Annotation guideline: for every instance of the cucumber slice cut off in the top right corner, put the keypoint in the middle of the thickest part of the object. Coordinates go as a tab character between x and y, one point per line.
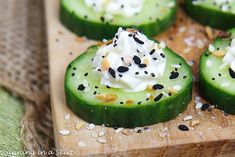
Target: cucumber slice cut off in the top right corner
216	14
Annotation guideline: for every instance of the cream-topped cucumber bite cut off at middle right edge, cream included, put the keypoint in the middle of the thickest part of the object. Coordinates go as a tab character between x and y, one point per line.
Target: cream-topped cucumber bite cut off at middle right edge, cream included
217	73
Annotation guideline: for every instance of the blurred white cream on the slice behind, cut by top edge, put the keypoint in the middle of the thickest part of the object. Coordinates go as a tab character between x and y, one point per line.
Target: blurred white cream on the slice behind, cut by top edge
116	7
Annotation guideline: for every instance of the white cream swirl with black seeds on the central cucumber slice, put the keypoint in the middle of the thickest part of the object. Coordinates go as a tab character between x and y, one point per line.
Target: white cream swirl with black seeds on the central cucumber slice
131	62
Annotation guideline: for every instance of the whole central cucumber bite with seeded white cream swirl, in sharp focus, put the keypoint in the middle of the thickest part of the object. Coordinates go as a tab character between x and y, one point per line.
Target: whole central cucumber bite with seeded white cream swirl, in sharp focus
127	82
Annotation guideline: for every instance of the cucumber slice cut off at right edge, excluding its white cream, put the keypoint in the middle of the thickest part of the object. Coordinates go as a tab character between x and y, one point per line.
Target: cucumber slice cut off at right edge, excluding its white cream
217	85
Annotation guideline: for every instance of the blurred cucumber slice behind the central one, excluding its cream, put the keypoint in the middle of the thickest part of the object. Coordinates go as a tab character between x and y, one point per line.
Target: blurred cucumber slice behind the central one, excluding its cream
155	17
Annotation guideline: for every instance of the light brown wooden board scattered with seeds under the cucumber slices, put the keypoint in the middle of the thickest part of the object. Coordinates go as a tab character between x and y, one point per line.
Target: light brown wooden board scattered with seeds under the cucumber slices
214	136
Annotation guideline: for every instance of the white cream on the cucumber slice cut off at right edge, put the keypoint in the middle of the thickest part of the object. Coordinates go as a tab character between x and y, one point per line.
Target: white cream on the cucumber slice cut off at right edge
229	58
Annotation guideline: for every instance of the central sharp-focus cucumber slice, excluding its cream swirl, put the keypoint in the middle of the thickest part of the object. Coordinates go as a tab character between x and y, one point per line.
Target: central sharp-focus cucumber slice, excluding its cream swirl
127	109
